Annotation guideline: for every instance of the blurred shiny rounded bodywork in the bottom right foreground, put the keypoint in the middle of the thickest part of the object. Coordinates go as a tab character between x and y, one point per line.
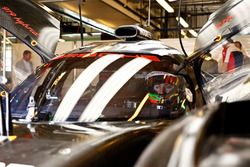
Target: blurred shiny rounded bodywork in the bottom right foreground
208	137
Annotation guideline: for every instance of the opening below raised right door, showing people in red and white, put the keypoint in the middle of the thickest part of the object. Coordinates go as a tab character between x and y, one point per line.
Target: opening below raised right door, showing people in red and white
231	56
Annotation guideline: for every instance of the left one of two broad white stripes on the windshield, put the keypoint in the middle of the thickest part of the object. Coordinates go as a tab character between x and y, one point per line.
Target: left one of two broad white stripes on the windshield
80	85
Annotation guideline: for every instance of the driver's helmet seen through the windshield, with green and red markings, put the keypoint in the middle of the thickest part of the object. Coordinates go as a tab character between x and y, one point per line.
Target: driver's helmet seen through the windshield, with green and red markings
167	91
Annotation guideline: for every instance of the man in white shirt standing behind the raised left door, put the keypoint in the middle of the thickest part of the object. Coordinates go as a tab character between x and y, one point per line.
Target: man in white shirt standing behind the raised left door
24	67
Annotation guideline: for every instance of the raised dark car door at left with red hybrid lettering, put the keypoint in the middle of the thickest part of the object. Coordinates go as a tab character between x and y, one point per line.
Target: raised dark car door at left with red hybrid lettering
33	24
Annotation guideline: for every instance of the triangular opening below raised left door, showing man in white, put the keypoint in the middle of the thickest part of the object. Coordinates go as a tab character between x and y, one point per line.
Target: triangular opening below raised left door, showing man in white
17	61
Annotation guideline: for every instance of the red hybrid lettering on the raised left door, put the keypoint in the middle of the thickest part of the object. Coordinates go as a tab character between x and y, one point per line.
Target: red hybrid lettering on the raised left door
19	21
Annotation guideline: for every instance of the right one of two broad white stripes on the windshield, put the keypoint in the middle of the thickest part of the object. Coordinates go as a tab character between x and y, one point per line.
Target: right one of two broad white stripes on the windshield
110	88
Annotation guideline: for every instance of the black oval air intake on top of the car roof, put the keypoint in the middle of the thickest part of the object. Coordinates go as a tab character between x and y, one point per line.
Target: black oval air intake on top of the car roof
132	32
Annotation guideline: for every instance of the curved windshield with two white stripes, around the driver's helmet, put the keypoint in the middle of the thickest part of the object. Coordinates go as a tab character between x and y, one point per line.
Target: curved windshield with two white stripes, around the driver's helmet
110	87
